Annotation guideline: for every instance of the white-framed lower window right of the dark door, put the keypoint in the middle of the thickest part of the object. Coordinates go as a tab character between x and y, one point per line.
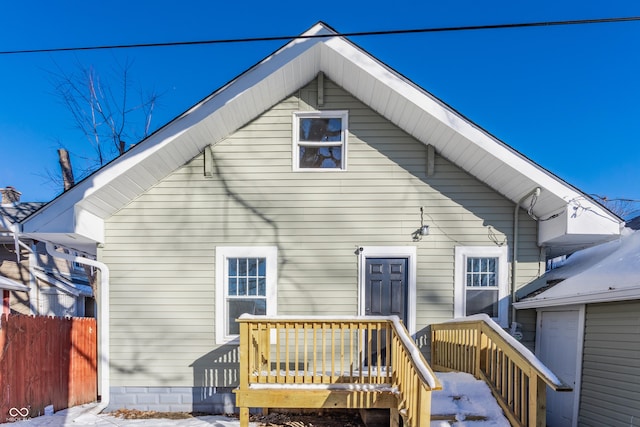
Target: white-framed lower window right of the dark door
481	282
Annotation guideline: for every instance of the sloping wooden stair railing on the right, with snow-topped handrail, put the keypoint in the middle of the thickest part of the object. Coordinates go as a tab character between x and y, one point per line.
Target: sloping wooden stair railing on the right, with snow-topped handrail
518	380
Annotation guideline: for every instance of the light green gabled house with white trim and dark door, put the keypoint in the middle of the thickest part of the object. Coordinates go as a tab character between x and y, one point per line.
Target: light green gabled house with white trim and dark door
320	181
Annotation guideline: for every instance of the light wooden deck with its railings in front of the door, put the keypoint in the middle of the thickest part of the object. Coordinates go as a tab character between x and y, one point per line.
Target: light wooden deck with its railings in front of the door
372	362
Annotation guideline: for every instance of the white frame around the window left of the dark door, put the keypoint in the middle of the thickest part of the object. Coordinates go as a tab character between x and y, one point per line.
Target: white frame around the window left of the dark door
223	253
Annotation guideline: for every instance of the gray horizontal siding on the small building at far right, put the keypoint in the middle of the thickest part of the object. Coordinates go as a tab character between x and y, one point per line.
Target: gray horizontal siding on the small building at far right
611	368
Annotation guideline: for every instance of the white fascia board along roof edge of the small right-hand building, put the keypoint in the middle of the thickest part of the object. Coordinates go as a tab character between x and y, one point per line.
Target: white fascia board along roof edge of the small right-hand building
605	295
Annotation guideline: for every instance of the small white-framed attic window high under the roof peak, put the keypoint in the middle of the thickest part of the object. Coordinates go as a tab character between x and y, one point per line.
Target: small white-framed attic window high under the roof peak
320	140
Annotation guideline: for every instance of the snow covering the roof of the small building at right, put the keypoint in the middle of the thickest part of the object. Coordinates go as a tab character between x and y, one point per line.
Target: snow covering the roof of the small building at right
607	272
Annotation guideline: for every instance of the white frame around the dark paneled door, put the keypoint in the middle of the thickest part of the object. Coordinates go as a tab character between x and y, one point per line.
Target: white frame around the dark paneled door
408	252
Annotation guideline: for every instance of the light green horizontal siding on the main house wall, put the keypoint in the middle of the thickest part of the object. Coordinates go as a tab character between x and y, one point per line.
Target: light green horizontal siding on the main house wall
161	247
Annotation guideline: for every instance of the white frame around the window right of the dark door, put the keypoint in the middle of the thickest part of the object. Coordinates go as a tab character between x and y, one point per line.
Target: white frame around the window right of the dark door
461	255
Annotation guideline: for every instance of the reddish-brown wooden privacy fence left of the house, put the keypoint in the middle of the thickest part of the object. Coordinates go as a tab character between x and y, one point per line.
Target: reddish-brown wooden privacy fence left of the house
46	361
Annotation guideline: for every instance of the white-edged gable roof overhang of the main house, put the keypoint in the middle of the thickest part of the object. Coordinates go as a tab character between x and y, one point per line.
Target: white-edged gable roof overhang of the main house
76	217
